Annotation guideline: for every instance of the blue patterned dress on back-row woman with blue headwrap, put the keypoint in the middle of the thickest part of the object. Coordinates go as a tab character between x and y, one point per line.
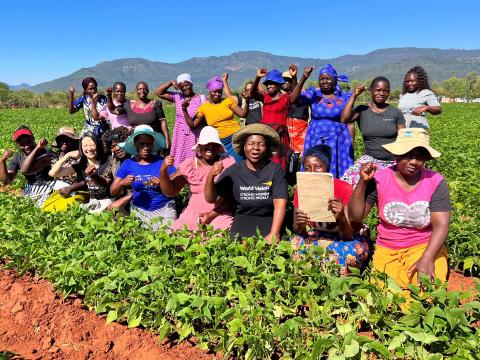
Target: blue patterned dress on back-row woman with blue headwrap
325	126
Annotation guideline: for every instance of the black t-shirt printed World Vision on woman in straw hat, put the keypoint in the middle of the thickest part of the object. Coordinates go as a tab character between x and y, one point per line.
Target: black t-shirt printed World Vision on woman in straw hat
252	193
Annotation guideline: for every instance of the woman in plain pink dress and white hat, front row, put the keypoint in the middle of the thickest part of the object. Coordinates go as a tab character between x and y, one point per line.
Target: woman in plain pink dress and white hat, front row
193	172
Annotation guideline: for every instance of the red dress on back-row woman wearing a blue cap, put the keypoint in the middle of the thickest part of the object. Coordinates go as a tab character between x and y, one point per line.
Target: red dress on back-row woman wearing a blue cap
275	114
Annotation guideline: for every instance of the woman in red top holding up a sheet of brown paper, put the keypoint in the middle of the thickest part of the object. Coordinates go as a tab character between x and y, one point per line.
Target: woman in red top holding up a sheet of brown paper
341	237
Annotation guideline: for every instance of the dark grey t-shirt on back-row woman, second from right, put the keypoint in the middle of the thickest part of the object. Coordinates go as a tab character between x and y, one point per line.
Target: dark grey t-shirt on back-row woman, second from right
379	129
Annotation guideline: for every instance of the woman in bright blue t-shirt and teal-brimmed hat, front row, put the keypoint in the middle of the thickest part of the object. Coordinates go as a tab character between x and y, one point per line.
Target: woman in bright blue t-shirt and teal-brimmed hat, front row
142	172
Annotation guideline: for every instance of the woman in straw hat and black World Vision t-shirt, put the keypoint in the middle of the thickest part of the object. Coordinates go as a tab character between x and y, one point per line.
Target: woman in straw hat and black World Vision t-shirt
256	187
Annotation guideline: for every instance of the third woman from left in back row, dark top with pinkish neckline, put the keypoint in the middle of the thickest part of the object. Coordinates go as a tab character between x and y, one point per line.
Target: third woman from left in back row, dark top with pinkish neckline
144	111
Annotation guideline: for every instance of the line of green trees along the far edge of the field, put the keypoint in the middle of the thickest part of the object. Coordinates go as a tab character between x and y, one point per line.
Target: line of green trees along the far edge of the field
467	88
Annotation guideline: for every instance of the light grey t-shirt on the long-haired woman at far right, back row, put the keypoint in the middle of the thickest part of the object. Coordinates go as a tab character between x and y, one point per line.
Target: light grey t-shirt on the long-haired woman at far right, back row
410	101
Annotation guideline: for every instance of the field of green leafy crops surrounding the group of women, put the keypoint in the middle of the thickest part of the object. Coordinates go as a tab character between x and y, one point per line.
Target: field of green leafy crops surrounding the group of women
252	300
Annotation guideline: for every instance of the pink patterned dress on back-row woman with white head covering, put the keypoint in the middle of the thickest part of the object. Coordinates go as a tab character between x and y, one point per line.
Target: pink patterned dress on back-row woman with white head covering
184	137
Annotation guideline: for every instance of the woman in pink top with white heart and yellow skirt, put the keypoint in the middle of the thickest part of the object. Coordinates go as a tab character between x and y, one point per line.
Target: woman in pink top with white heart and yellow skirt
414	210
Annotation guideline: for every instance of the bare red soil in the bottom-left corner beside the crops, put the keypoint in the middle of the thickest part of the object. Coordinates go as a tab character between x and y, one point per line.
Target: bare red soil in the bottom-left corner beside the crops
36	323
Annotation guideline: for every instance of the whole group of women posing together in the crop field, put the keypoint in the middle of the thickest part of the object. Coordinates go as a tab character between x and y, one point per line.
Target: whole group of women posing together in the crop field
236	174
